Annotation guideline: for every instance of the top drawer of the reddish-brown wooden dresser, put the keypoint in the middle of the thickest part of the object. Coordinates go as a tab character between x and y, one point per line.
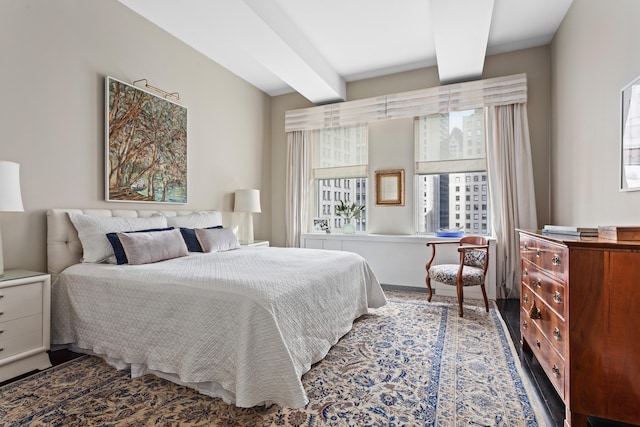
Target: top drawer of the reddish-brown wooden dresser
548	256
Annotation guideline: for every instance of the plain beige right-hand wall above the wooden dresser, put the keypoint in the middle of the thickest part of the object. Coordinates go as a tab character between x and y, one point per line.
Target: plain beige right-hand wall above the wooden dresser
593	55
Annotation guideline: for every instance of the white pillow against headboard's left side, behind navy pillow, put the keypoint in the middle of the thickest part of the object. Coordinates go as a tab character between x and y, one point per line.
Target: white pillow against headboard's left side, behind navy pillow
92	231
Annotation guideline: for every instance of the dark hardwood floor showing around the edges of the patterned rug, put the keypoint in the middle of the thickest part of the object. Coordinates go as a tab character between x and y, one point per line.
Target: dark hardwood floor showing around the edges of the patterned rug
545	394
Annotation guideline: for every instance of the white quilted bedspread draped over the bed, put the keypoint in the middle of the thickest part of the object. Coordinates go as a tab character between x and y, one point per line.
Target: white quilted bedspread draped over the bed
244	324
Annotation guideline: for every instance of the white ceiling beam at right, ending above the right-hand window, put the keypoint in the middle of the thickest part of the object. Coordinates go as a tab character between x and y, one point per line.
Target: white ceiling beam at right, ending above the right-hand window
460	32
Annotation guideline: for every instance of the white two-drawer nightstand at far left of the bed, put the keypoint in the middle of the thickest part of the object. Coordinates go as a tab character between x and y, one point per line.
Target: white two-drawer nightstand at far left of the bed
25	320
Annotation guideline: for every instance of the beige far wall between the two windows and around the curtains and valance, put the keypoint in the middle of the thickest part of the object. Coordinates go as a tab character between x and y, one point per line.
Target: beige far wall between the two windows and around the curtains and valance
391	142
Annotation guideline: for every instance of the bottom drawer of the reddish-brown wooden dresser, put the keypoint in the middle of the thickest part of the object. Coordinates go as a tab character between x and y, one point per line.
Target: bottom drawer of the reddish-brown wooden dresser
549	359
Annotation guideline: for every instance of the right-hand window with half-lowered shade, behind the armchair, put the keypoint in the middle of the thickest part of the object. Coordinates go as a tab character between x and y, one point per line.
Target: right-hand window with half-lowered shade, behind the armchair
450	150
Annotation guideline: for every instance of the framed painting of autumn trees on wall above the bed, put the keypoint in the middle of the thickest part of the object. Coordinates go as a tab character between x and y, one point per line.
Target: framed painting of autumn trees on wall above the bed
146	146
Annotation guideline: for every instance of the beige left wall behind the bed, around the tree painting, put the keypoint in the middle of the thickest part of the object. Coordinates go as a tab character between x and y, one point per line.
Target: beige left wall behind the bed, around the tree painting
55	56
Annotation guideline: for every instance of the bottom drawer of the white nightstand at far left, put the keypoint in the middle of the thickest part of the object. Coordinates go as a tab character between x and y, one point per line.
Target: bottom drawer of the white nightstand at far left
20	335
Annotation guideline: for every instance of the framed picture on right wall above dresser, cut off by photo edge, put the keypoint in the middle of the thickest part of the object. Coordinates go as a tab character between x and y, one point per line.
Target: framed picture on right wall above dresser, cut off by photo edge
630	137
